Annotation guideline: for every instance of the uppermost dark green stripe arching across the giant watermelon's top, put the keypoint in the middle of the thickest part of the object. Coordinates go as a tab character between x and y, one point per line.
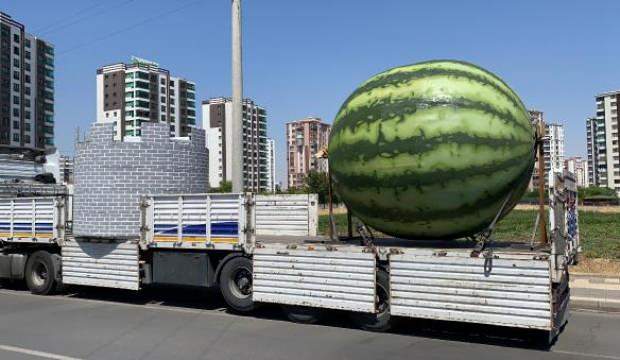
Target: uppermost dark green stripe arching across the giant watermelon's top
404	77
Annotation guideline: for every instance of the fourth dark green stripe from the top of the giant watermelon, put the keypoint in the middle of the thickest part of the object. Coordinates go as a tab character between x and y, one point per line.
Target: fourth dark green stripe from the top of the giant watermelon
411	178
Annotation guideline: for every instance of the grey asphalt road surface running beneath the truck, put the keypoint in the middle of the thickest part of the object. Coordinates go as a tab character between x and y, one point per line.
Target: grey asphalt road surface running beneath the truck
178	324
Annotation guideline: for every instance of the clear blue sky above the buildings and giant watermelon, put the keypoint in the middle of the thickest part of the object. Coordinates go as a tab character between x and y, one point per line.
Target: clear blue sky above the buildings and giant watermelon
304	57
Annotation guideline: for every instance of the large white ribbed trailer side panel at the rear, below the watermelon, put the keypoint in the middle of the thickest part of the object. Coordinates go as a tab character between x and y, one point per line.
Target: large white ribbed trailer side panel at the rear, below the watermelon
511	292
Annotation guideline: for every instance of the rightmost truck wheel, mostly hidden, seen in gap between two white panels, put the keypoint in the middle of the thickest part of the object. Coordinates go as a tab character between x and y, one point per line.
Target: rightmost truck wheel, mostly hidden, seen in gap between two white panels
379	321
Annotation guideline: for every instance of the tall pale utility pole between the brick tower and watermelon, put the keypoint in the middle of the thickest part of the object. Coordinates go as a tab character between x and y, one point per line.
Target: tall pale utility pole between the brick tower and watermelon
237	98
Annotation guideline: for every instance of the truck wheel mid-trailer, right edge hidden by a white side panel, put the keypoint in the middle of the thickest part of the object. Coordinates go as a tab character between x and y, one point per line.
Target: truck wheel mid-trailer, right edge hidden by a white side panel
236	284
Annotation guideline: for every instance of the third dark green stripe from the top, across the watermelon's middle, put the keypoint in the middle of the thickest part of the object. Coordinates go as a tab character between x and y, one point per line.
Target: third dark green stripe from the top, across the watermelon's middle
364	149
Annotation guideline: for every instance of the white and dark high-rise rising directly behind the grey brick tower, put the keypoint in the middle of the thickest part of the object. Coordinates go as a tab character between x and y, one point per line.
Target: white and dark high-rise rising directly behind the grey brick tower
130	94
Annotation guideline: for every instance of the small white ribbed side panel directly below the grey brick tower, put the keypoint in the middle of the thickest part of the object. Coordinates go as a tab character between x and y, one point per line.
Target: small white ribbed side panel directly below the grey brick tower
107	264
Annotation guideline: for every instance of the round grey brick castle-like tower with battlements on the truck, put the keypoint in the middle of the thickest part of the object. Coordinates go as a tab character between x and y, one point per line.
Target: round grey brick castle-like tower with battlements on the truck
110	176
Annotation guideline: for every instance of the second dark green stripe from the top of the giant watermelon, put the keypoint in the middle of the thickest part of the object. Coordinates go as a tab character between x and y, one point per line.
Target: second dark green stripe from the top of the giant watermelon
364	115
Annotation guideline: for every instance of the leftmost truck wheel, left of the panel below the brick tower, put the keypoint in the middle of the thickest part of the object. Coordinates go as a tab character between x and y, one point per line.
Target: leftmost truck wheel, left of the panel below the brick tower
41	273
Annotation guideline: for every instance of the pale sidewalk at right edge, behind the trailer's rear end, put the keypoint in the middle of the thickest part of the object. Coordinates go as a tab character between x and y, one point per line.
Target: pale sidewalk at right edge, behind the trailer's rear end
595	292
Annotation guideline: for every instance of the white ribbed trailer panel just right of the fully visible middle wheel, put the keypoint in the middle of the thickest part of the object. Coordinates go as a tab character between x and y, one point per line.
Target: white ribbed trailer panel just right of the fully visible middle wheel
343	280
